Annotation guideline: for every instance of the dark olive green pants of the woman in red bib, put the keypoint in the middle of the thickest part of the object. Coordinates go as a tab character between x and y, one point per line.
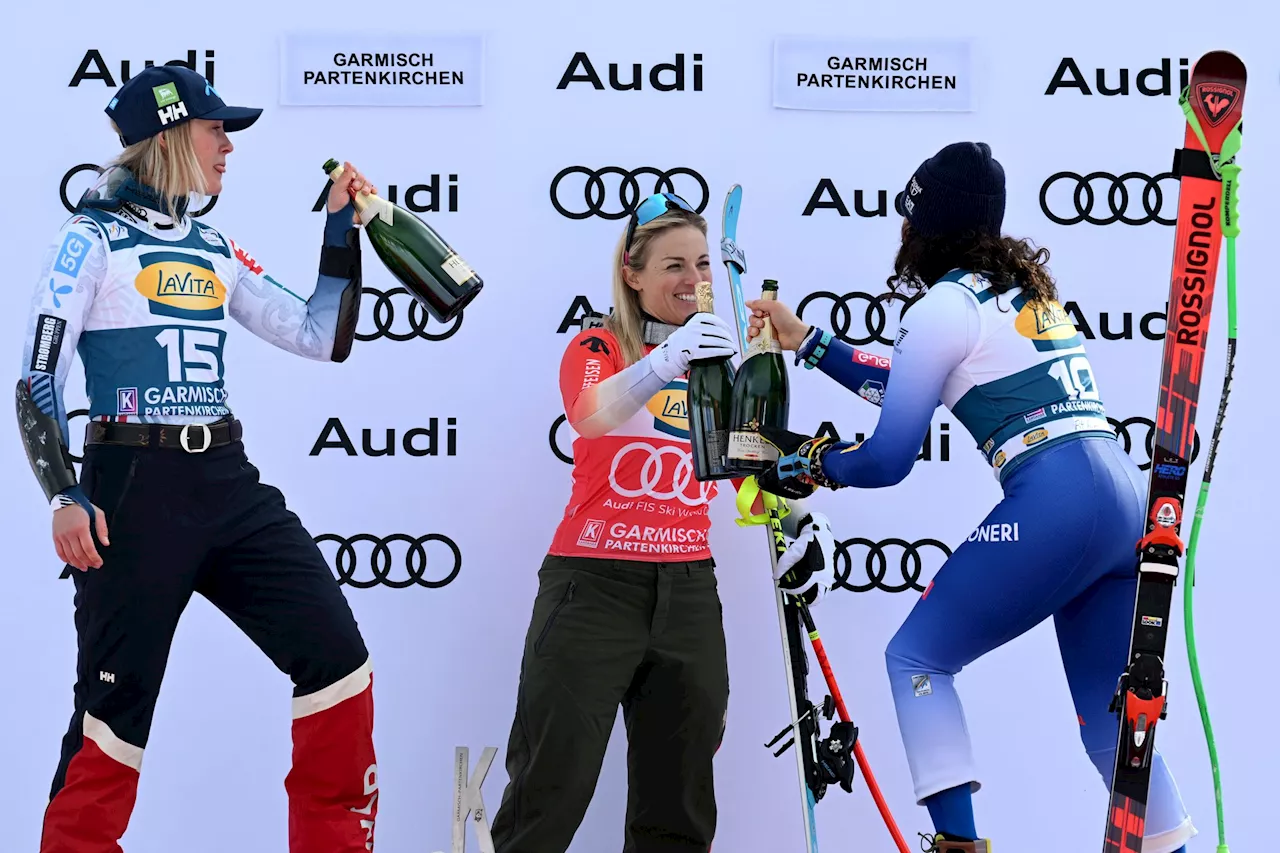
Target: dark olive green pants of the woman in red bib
646	636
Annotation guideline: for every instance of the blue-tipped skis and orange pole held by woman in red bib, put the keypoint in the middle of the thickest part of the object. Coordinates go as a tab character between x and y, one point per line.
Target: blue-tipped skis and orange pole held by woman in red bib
820	761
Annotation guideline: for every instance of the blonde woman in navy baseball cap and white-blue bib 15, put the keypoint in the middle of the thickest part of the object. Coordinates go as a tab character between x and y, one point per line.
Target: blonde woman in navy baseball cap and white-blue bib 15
168	504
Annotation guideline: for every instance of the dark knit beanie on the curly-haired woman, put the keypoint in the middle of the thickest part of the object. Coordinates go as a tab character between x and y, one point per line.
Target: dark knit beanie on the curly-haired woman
961	188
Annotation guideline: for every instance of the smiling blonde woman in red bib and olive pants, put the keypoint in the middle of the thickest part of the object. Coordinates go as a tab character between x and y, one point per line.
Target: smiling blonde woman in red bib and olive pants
628	610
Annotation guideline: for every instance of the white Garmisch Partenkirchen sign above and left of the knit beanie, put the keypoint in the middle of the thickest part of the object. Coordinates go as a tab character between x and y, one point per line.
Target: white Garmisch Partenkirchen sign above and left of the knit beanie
894	75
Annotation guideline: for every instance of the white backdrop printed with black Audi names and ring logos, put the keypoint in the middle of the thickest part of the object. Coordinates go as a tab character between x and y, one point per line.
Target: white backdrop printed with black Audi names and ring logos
447	659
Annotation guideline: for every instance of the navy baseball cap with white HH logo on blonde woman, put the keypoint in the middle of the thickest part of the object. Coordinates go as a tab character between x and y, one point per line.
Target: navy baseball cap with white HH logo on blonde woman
164	97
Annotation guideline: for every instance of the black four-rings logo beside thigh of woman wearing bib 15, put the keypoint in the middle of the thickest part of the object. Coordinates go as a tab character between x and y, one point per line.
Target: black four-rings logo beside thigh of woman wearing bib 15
397	560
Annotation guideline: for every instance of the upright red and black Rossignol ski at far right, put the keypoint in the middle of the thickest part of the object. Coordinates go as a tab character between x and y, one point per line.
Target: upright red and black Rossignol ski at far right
1206	208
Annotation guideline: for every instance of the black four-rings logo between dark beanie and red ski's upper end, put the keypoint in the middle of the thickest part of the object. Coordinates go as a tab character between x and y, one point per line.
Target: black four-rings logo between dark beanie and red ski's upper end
1132	198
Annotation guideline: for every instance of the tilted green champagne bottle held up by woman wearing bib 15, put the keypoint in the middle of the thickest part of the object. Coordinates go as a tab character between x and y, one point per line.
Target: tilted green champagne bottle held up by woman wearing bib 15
423	262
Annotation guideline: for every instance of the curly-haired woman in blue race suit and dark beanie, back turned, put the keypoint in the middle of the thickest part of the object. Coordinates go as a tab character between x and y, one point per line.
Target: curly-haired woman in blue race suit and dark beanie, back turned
986	337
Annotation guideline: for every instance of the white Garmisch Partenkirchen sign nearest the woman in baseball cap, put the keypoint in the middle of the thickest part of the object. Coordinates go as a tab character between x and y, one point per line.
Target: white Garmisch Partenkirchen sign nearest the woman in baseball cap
362	70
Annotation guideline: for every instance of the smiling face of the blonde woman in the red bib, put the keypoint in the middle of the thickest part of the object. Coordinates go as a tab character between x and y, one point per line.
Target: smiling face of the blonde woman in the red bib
678	259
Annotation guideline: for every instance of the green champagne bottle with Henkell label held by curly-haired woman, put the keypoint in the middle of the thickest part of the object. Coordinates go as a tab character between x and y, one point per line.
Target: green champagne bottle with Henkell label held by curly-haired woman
761	399
